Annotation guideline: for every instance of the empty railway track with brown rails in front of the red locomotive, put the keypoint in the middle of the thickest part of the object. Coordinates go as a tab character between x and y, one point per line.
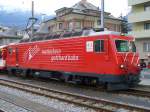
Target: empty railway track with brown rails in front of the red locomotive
83	101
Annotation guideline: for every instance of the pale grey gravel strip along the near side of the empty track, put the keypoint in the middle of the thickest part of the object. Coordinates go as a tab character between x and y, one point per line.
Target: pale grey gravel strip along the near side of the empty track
44	101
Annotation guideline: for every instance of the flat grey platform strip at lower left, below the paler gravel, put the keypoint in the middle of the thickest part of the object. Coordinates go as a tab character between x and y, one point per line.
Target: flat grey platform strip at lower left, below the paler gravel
32	106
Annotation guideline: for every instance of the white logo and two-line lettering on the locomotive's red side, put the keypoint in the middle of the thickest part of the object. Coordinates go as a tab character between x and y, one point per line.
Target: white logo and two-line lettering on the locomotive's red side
55	54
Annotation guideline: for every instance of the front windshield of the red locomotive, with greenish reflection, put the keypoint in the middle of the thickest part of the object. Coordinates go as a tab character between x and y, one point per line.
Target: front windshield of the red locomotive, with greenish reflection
125	46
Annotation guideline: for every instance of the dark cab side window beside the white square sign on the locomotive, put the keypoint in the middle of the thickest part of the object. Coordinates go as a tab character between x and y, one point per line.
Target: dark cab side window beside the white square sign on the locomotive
99	46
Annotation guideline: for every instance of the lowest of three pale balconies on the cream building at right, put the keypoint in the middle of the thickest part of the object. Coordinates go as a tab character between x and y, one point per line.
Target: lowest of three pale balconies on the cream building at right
140	34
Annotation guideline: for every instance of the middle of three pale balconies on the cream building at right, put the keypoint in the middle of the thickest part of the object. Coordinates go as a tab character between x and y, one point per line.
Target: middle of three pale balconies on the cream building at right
139	17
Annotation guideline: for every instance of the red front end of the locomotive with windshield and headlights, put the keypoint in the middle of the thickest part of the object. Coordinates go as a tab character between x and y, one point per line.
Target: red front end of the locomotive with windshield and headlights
127	59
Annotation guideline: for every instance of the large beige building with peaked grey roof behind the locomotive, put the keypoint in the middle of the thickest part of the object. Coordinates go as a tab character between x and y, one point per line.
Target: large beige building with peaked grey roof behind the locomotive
82	15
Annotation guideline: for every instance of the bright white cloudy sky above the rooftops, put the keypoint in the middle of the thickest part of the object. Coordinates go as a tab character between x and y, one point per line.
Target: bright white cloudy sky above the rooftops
48	7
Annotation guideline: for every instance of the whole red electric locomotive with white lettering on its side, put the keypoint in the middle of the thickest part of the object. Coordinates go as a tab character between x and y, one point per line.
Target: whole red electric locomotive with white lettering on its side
84	57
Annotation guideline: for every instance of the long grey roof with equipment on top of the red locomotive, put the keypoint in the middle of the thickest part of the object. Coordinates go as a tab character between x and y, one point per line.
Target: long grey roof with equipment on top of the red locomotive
83	33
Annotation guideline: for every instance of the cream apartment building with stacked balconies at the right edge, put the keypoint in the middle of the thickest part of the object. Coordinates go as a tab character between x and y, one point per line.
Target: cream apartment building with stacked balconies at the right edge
140	19
